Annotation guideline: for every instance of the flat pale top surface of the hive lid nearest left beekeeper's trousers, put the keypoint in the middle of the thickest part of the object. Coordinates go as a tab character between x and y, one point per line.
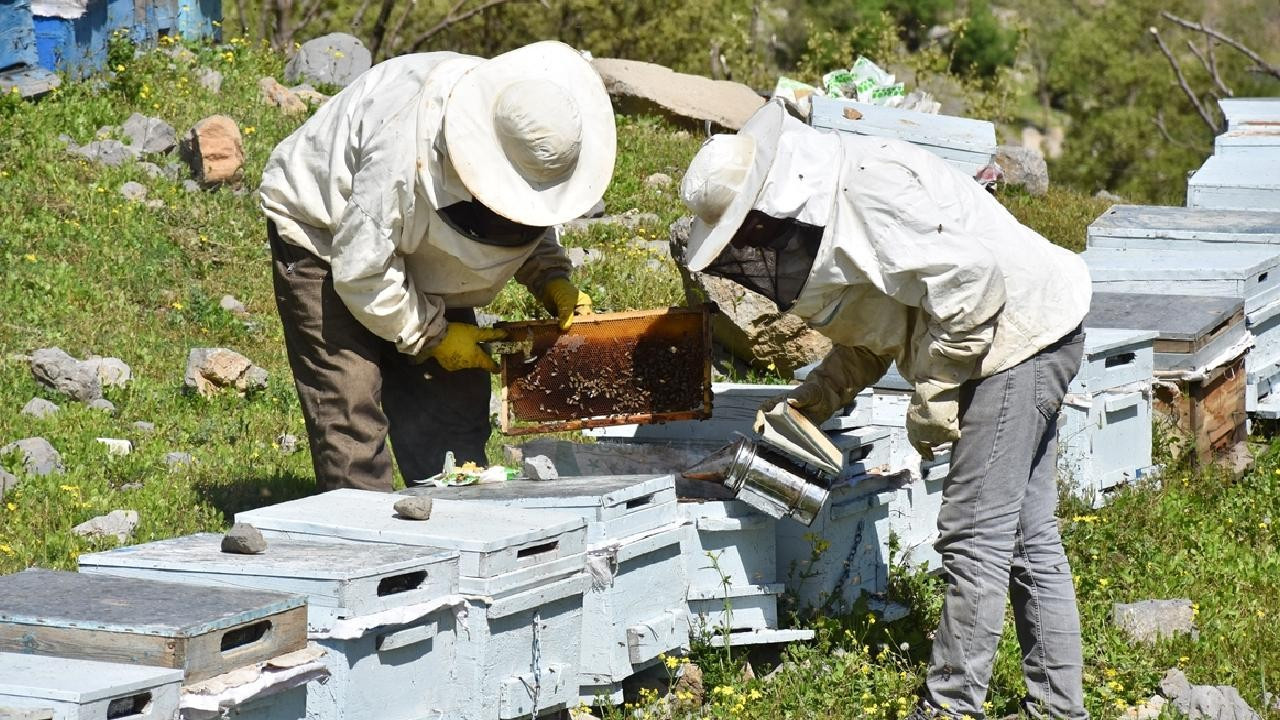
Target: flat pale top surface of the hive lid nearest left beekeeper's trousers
367	516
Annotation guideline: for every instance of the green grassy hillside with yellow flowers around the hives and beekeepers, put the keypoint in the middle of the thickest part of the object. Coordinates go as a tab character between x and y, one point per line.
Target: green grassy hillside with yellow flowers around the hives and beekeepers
85	270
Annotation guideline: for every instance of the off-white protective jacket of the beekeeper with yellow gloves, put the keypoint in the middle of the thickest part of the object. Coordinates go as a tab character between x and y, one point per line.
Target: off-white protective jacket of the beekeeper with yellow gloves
359	185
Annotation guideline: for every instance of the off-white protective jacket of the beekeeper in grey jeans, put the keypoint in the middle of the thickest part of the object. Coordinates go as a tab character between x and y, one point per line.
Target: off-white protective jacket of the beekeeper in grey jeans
918	265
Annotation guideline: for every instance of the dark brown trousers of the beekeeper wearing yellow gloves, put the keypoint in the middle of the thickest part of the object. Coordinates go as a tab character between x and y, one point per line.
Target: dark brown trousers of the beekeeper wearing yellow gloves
358	389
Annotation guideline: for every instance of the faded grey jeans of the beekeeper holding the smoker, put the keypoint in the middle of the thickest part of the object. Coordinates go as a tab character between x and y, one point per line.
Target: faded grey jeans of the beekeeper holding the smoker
999	537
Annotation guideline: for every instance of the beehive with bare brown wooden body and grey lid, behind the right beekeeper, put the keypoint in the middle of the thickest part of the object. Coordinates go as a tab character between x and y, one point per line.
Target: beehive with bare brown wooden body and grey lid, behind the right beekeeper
1199	352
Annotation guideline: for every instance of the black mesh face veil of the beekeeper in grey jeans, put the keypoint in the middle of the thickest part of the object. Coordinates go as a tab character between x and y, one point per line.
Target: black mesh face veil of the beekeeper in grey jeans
771	257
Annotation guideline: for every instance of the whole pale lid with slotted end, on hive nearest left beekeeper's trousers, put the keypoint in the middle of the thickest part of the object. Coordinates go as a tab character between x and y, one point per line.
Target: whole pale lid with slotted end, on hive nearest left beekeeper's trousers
501	550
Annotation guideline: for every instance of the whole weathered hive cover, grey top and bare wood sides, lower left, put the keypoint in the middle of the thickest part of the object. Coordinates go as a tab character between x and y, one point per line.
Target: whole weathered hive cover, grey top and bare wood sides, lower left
203	631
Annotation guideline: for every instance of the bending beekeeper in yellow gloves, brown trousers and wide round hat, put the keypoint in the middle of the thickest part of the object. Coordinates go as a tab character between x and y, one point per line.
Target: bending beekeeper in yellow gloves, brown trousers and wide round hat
406	202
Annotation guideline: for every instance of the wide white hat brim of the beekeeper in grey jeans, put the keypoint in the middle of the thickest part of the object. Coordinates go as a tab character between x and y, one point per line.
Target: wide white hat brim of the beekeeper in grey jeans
707	240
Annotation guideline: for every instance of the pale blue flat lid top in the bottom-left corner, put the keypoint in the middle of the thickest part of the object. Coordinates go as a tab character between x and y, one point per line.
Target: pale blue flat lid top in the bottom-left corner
80	682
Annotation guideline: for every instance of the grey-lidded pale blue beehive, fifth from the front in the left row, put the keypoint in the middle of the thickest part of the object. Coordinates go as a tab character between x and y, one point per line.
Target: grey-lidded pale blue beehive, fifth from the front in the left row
636	609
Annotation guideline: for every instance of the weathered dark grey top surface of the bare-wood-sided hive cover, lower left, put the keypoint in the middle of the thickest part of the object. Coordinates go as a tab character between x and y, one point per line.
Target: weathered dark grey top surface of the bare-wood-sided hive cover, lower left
147	608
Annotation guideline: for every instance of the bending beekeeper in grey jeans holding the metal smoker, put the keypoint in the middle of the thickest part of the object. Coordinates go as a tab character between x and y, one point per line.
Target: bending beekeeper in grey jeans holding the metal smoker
898	257
